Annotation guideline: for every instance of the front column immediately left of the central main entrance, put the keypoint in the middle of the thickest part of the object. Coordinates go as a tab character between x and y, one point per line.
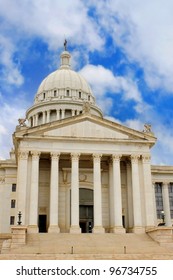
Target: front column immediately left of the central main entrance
75	194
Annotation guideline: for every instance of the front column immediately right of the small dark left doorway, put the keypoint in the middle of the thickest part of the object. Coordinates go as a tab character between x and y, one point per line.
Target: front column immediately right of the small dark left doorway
54	193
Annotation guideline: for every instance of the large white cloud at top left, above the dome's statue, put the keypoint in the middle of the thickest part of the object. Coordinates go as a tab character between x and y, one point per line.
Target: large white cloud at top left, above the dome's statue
53	21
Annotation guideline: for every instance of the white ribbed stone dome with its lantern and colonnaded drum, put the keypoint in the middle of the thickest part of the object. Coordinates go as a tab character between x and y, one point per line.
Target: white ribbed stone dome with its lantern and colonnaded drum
62	94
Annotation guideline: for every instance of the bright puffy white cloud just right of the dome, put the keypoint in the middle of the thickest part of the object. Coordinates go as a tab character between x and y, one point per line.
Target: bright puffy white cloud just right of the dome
104	83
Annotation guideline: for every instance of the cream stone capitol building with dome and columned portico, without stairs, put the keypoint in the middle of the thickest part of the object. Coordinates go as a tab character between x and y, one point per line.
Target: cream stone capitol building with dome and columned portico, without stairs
73	171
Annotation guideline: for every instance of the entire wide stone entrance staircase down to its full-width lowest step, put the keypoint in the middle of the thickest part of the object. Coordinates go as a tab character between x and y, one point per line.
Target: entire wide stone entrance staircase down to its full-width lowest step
89	246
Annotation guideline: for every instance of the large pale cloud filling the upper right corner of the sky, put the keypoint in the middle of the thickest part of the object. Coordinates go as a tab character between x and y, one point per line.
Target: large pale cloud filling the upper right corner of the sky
144	30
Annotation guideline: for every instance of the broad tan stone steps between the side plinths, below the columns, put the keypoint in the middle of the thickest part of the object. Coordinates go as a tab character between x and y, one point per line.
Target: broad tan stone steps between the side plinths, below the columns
90	244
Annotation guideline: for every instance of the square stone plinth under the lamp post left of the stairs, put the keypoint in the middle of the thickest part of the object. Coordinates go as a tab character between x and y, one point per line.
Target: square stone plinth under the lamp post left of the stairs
18	236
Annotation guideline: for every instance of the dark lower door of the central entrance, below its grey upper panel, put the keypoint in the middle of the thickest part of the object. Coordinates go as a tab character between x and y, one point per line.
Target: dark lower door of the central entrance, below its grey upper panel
86	218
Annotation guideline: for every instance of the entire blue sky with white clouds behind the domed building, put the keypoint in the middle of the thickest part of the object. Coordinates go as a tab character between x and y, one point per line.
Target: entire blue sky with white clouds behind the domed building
124	48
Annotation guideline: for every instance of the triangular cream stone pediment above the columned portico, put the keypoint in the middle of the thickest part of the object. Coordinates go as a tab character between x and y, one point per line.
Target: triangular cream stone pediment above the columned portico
88	127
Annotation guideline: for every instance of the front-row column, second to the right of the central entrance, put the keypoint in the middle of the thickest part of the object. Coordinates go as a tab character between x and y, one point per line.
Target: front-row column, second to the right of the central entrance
117	198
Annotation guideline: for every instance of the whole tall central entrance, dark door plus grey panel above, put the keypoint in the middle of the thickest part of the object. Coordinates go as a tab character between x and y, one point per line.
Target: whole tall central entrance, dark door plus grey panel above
86	219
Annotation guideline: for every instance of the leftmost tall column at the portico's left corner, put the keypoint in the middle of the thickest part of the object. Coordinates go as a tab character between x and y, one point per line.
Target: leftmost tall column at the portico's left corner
22	177
